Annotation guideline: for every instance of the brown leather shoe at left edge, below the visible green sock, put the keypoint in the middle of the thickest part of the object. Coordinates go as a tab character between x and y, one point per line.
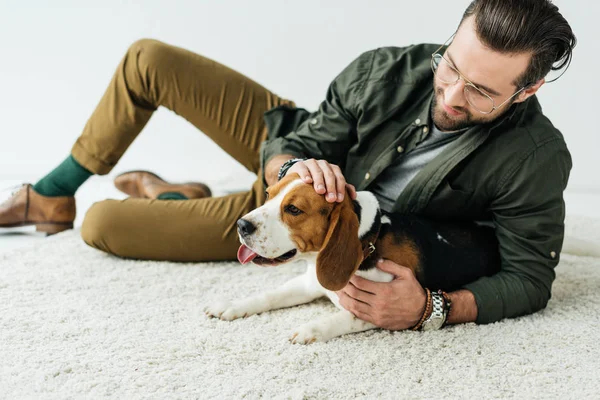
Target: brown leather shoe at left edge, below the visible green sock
48	214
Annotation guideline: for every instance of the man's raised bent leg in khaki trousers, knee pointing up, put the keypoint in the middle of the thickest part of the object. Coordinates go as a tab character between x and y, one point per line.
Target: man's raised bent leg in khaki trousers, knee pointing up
222	103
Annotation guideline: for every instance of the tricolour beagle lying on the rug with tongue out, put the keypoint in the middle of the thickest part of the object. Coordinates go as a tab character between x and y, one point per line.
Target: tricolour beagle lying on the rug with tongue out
340	239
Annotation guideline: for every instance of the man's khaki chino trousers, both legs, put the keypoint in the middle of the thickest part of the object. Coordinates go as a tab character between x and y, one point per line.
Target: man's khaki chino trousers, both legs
223	104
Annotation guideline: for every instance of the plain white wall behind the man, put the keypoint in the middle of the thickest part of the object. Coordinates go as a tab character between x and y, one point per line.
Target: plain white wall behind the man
56	58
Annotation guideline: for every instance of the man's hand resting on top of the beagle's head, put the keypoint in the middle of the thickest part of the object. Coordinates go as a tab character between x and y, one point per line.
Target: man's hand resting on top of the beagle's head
325	177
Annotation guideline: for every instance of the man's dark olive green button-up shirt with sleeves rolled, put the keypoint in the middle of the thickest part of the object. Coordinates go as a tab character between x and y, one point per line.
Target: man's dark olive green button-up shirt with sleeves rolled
512	171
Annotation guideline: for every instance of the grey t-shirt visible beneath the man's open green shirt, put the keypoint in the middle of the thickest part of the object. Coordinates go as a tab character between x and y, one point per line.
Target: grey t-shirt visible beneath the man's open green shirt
392	181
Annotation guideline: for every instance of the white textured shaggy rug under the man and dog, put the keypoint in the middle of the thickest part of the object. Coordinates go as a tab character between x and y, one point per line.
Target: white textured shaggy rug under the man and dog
77	323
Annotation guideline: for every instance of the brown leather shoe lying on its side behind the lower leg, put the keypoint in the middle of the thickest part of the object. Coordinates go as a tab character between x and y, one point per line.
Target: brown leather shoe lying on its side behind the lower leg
147	185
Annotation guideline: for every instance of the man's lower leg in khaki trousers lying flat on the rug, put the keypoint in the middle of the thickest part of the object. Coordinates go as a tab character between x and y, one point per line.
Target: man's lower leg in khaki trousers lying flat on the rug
190	230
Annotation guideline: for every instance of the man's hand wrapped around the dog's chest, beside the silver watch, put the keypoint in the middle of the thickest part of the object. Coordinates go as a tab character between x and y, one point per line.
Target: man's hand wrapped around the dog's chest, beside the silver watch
395	305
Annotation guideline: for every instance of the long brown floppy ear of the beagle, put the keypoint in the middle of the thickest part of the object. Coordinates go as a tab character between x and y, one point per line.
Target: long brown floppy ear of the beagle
341	253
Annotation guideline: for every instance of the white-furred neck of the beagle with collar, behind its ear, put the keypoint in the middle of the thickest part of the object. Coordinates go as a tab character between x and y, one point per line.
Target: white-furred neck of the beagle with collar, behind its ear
366	208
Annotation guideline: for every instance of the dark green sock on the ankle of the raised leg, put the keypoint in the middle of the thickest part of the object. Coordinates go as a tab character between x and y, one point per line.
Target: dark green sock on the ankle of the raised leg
64	180
